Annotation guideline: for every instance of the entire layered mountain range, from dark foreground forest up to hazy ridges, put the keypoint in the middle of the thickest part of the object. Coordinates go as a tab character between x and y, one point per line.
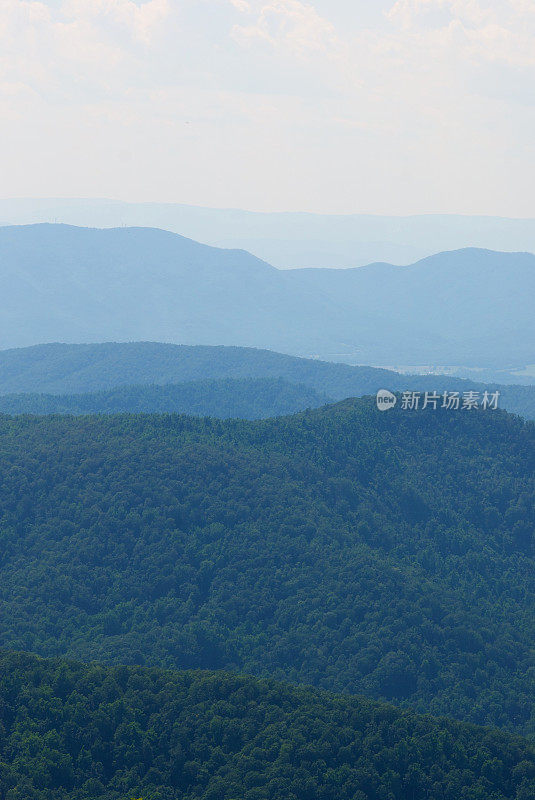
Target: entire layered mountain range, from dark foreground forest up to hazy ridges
224	573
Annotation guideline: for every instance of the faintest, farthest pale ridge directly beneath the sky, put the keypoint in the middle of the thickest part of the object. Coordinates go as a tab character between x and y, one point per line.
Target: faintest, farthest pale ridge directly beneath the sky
289	239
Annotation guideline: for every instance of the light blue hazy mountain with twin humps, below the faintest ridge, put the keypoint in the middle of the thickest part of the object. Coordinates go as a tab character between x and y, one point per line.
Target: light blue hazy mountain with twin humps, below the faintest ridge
60	283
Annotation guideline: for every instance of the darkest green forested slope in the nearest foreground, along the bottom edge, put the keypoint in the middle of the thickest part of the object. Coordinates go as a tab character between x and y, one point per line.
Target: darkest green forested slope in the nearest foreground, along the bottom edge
72	732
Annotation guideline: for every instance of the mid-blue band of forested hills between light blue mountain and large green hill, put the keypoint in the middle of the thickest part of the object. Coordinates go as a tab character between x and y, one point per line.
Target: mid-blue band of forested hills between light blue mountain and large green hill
68	370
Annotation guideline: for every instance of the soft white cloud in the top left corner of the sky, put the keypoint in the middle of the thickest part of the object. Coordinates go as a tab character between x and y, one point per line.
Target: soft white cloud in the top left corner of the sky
77	47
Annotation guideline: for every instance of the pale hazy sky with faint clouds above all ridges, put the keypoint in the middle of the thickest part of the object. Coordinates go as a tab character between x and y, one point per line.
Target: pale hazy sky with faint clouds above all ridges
332	106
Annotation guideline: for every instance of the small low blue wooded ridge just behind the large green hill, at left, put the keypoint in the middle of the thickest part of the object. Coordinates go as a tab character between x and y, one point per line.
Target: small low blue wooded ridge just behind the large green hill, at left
245	398
